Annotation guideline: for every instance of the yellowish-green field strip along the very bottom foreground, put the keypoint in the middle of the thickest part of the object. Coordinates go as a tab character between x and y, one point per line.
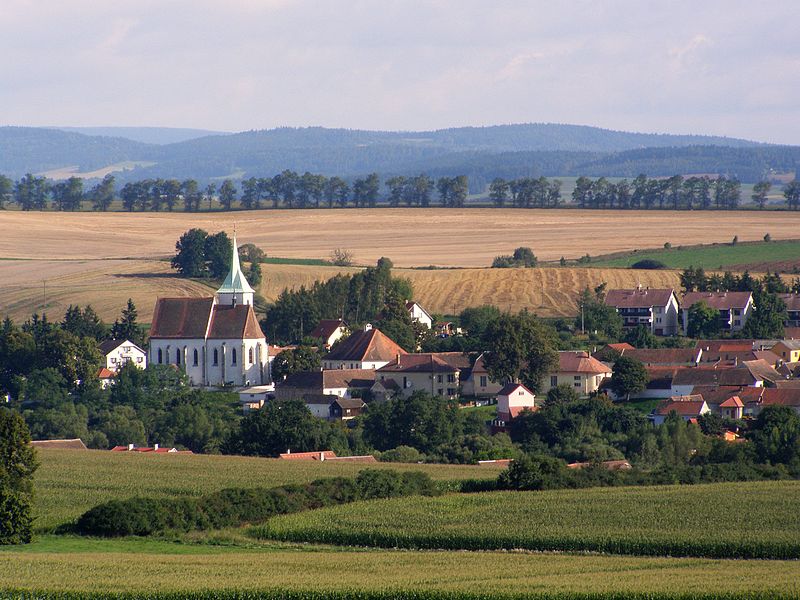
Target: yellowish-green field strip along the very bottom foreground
106	566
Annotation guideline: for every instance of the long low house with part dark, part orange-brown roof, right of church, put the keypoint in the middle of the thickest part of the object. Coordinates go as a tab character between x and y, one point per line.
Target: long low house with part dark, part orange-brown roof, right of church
339	383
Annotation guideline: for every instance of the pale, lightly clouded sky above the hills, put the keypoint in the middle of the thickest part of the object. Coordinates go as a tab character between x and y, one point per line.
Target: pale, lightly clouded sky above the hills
725	67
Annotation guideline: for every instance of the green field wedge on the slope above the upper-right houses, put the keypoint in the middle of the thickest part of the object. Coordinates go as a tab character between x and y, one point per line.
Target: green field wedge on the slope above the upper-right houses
714	257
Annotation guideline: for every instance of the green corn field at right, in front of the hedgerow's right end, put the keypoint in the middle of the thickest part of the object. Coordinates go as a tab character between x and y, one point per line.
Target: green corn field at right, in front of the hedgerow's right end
746	520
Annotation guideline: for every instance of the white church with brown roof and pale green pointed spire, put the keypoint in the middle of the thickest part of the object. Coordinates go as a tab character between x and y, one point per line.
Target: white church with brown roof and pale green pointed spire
217	341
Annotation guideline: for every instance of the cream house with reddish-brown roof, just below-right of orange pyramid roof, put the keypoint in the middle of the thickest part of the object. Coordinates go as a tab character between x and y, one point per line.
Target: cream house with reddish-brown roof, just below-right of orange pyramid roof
427	372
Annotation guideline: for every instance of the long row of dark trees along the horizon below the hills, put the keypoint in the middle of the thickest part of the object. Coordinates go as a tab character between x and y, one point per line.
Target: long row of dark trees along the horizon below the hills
289	189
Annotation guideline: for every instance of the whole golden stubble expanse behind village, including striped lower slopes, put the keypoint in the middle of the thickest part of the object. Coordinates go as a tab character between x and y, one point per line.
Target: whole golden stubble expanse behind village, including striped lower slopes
104	259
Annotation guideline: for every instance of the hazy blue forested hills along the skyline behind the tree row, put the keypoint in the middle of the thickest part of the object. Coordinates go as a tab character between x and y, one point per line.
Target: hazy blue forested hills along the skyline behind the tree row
481	153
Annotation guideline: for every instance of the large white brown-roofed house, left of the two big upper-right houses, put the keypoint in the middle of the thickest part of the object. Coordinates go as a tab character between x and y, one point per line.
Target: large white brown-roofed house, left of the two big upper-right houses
655	309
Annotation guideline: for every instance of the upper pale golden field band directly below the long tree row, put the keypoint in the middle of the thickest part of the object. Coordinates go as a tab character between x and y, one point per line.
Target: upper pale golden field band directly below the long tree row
410	237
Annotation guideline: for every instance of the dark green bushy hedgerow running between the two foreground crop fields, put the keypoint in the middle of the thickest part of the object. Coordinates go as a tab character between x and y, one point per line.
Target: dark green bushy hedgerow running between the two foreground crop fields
237	506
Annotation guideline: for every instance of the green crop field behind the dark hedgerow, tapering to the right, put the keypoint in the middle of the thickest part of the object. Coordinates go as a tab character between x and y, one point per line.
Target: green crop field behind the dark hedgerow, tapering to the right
69	482
